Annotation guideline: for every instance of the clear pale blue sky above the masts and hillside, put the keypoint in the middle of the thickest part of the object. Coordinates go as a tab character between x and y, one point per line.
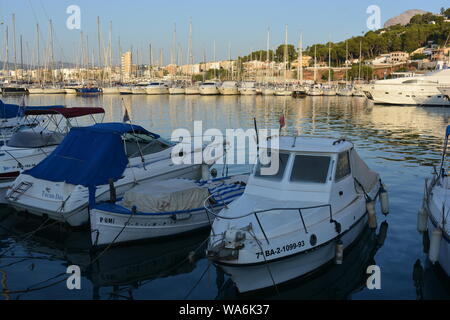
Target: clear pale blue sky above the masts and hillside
239	24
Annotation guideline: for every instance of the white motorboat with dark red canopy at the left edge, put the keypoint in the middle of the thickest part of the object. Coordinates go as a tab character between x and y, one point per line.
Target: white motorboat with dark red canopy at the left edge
32	143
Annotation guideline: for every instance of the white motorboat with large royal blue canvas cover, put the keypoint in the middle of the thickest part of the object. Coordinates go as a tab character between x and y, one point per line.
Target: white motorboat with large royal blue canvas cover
58	186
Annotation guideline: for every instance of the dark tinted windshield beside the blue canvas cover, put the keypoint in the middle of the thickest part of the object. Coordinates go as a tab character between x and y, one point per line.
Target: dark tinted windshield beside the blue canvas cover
141	144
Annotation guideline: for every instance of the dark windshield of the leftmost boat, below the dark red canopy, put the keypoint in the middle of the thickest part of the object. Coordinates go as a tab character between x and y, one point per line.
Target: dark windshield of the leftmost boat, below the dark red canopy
35	139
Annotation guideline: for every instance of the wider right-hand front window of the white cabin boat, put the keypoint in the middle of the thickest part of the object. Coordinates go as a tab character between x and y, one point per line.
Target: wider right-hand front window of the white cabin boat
312	169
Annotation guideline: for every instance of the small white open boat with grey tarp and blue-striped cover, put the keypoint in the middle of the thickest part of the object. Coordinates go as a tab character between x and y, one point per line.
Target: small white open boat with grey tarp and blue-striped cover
161	208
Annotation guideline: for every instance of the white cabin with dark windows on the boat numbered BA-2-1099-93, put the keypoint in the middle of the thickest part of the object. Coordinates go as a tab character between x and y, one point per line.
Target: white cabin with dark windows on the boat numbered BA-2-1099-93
312	170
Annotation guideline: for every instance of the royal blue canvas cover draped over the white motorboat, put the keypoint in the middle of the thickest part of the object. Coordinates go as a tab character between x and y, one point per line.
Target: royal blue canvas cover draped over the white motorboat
88	156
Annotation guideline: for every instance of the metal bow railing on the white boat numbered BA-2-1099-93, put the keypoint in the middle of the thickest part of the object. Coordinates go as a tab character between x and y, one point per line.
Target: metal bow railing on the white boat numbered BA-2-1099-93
256	213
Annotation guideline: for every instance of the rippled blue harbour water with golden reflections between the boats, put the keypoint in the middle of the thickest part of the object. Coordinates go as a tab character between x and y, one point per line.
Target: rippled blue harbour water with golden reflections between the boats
402	143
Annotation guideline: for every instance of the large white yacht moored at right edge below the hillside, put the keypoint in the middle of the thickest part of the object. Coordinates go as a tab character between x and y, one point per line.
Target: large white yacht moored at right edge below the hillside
414	90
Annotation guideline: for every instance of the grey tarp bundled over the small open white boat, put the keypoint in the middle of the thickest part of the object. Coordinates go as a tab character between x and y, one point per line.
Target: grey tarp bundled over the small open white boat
166	196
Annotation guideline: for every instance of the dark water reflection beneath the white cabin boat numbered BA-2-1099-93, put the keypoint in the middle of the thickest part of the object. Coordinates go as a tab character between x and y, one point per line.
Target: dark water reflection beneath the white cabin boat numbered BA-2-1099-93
332	282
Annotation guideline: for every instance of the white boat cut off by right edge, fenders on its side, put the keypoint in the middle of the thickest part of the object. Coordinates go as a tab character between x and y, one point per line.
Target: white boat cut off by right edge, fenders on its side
433	217
